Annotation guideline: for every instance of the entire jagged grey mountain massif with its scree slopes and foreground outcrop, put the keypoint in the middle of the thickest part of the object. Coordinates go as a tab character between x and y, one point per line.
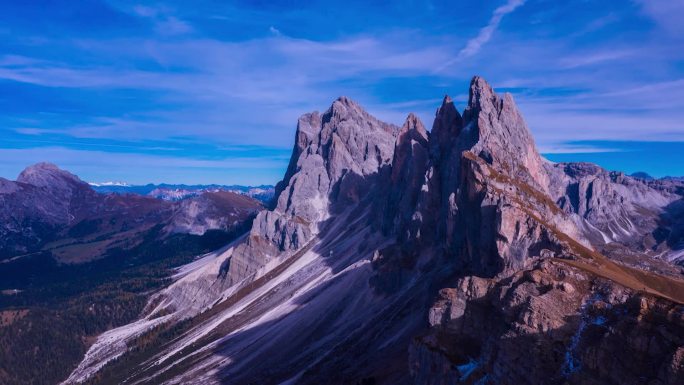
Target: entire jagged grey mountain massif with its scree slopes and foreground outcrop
397	256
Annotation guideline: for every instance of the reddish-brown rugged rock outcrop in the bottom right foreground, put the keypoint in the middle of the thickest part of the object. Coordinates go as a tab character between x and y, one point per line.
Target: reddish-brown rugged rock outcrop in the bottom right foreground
549	325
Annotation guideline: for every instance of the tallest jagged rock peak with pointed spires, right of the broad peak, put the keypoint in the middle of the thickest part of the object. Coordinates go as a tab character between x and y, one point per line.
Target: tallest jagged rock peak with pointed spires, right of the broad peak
483	181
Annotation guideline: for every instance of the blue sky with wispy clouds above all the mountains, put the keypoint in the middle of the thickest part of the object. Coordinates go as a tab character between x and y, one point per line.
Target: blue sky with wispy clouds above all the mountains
210	91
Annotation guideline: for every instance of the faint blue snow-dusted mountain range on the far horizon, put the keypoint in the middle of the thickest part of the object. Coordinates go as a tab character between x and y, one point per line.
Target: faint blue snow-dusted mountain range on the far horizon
174	192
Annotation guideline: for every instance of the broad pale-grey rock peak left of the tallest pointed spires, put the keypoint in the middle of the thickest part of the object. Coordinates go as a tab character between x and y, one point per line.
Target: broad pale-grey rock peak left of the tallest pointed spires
336	160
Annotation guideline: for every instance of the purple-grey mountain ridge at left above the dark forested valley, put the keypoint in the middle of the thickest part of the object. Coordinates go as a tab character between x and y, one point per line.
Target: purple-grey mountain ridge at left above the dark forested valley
51	209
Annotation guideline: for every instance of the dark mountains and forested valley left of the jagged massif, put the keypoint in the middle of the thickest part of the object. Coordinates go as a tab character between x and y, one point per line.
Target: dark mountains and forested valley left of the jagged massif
75	263
